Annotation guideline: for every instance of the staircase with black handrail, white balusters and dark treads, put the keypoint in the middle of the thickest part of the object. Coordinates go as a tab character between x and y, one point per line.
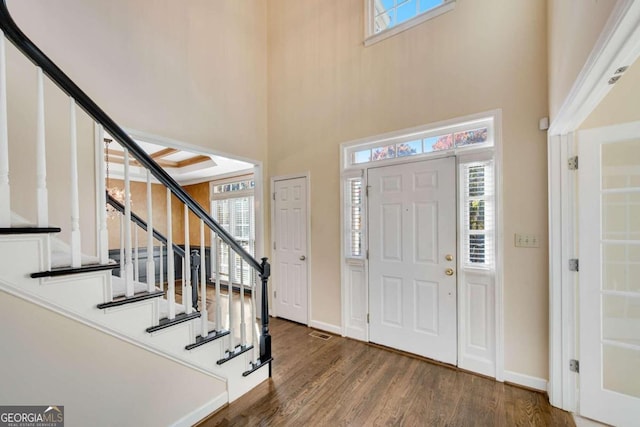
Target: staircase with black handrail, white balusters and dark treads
37	265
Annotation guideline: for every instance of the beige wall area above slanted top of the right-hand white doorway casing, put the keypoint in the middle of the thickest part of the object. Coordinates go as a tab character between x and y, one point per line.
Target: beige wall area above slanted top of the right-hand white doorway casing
574	28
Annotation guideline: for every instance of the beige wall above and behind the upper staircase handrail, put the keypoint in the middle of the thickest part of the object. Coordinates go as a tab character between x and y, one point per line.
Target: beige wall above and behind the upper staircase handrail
191	71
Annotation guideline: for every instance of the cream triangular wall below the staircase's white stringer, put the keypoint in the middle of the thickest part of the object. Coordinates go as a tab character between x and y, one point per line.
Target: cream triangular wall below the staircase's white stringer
99	379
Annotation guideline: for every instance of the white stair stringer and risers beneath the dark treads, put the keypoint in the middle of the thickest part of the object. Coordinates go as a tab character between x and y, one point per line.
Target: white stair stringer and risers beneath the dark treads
76	296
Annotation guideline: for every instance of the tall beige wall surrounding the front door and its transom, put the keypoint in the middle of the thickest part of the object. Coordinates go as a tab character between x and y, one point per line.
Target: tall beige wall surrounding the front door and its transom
326	88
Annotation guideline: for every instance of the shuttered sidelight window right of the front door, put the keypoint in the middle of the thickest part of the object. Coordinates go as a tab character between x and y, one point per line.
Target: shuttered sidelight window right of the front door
478	219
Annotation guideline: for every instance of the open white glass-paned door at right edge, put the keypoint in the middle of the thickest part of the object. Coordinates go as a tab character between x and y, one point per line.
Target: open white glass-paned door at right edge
609	275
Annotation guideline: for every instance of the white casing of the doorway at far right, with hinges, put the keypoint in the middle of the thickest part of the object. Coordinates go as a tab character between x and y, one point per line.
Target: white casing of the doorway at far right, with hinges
618	45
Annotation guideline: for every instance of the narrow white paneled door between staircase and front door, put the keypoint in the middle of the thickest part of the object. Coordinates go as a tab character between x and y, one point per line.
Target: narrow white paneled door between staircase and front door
290	249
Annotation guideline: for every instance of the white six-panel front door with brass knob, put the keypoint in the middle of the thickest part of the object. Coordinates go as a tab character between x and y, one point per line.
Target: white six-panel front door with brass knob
412	248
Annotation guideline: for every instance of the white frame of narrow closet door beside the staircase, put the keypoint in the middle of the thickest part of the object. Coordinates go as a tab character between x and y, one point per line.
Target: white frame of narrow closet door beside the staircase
307	177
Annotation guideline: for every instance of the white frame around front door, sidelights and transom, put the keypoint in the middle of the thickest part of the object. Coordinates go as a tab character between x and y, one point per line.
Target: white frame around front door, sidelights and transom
354	271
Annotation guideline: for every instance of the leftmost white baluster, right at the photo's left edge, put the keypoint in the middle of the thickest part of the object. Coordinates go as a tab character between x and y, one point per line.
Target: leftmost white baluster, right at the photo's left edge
5	193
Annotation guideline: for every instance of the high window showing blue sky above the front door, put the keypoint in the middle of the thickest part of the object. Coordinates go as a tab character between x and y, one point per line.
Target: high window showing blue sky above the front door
388	17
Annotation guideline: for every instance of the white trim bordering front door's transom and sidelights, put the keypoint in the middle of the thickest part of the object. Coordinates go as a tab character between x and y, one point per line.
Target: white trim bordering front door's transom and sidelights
496	274
